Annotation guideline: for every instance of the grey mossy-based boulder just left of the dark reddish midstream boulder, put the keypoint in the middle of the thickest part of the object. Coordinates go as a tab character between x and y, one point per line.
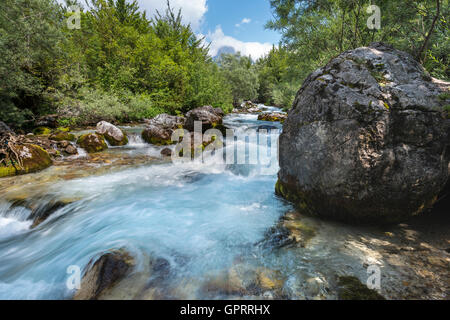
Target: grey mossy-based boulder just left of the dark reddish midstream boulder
159	129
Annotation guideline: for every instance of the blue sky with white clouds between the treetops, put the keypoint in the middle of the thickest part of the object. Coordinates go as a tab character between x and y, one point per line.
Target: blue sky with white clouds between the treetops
225	23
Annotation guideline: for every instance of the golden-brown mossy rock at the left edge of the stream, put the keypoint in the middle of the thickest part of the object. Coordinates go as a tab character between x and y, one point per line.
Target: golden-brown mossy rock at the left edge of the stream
32	159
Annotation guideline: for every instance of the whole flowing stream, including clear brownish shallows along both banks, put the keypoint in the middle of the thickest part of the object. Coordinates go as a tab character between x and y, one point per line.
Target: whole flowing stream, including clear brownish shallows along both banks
202	218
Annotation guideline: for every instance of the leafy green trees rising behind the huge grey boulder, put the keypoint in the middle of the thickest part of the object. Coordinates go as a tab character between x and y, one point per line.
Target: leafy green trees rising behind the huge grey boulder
314	31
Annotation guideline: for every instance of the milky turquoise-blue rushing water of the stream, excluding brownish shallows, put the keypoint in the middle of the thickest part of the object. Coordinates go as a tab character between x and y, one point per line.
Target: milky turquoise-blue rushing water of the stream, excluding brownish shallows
198	216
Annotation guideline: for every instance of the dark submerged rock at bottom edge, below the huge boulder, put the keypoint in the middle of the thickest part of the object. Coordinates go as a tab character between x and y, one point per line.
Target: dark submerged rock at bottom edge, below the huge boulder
350	288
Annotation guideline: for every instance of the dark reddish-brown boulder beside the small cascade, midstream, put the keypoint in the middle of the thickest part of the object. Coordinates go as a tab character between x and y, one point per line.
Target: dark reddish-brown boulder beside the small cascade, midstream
209	116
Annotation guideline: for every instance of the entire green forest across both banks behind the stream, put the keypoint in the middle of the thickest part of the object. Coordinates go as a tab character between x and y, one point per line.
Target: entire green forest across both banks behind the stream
126	65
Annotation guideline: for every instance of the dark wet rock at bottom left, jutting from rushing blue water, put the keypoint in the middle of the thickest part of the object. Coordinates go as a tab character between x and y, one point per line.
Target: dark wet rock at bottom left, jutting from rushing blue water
103	274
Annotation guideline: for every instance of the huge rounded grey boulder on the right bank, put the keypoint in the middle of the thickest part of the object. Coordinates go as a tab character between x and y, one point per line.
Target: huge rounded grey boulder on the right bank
366	140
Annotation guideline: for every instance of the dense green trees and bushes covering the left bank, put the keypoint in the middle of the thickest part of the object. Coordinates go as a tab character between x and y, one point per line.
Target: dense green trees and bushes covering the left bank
119	66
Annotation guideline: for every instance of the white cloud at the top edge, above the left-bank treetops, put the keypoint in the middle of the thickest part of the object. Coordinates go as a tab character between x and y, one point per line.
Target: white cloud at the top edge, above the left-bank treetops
193	11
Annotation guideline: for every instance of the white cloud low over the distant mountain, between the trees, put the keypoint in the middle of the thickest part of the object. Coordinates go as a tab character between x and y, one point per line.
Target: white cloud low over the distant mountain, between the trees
218	40
